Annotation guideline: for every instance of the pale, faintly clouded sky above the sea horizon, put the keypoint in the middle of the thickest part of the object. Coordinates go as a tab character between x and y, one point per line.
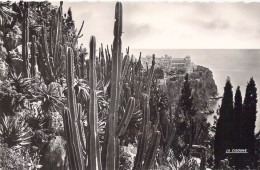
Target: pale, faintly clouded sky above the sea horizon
172	25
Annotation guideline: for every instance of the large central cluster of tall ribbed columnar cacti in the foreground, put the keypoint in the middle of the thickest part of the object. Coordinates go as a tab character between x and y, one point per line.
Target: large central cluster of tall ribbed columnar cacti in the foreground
124	76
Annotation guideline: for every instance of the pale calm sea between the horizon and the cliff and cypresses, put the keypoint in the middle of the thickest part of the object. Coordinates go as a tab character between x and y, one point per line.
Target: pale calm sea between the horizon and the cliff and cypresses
239	65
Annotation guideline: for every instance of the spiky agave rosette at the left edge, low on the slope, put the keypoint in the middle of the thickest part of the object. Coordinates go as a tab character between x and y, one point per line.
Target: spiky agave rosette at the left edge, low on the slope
14	131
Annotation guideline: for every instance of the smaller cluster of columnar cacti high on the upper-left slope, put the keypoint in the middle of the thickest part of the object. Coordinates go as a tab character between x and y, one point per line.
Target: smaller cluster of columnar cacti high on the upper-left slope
45	60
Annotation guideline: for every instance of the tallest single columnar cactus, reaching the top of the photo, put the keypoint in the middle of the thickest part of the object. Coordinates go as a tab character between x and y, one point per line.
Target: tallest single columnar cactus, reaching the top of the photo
112	147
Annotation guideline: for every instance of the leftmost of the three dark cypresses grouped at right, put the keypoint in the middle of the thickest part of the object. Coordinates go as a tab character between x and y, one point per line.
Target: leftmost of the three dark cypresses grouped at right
223	137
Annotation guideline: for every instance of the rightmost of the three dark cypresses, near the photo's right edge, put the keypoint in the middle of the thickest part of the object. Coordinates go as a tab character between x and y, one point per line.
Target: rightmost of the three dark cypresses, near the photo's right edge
249	118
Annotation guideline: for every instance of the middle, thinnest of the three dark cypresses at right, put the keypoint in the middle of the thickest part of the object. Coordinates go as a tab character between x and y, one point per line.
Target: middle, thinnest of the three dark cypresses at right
237	129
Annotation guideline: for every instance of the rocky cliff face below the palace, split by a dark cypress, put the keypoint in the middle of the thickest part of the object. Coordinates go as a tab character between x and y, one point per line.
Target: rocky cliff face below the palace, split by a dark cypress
203	88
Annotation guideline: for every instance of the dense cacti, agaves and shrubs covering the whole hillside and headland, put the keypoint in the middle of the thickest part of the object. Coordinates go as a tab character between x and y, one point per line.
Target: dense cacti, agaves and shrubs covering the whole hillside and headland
64	108
